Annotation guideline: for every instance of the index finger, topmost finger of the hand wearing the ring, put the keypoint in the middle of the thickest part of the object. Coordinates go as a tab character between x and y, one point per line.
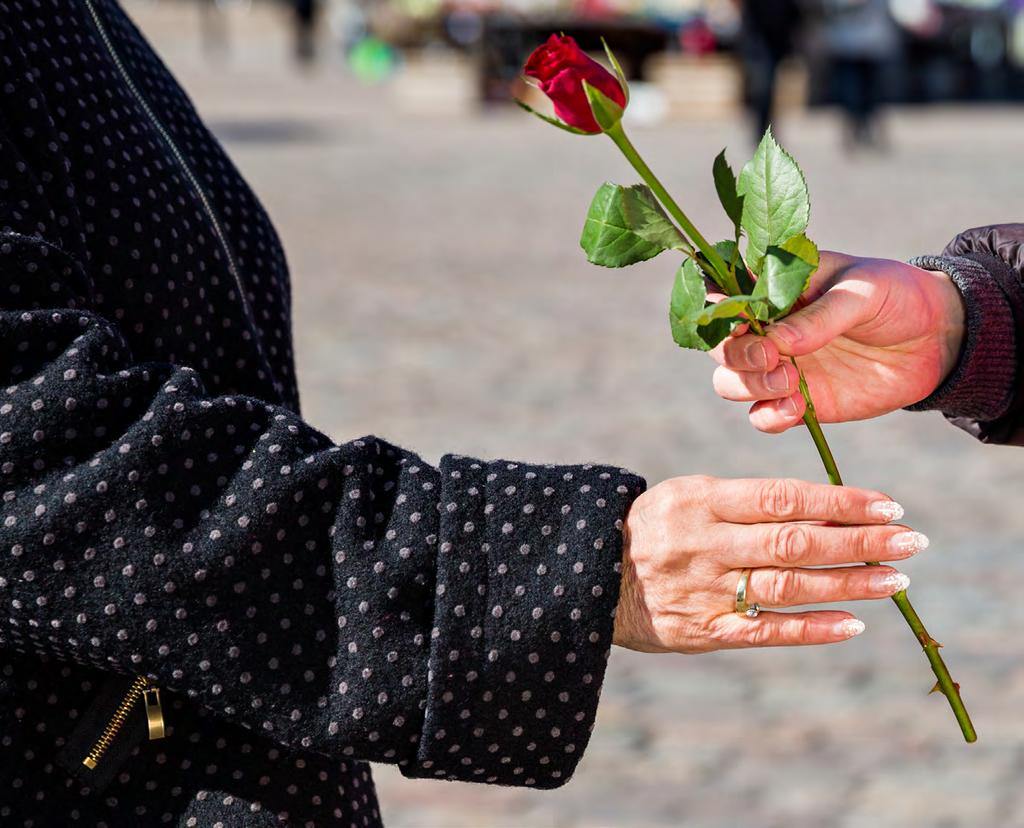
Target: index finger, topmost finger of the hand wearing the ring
776	501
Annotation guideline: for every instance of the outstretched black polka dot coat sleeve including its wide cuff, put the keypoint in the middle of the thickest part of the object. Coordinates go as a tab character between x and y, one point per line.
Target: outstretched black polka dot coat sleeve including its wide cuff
349	598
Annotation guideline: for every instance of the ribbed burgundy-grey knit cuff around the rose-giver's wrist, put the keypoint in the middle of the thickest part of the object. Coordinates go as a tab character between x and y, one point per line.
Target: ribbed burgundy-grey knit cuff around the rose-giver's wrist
982	386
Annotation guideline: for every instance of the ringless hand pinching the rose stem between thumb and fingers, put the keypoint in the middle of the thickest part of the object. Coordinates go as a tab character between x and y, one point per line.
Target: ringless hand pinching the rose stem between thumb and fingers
873	336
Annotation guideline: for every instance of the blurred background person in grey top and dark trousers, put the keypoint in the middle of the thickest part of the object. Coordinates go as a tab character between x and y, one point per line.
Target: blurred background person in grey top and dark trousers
861	38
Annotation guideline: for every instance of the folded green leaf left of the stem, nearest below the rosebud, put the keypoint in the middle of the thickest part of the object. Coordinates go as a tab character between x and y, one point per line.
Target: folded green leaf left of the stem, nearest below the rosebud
626	226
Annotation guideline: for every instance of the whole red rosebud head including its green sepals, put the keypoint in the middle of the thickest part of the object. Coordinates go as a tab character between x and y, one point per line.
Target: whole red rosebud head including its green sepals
588	99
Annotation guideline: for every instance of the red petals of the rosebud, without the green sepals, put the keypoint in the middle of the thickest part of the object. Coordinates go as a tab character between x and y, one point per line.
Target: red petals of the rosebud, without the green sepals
562	67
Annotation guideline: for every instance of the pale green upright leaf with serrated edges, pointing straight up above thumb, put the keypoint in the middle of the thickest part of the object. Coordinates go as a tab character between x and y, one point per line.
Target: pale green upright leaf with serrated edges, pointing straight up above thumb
777	206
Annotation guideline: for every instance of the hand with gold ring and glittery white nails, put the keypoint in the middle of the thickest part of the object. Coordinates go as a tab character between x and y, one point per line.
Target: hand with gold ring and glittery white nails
689	540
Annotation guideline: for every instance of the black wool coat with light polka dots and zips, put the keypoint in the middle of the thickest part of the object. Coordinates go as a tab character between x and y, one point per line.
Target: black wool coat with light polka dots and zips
169	521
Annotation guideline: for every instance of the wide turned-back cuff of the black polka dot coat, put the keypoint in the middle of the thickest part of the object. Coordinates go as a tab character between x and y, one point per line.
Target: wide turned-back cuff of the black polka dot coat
528	583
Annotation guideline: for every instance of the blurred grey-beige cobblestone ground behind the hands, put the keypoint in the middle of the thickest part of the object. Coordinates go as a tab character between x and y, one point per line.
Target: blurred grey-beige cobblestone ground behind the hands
442	301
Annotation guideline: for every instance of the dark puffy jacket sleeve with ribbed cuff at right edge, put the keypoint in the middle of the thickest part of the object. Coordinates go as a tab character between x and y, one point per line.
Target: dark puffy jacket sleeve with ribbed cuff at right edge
985	394
